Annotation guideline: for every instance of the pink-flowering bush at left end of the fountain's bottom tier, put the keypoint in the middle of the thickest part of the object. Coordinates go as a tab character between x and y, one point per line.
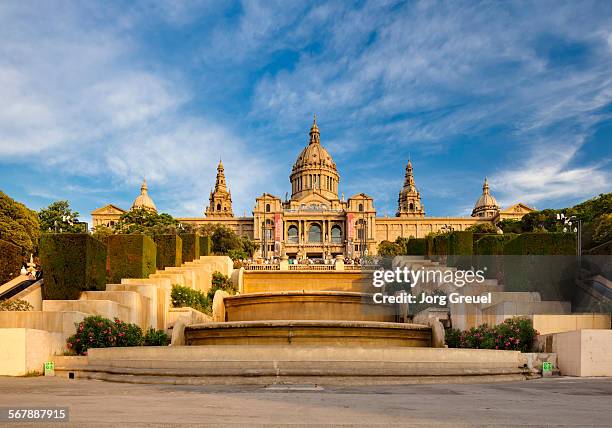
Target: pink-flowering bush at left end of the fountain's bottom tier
99	332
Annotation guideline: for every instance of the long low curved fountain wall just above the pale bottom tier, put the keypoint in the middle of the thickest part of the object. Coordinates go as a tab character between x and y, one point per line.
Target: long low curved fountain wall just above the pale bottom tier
316	332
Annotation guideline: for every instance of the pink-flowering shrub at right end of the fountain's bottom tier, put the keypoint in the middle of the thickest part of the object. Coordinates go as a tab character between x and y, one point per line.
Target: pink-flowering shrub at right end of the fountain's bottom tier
515	334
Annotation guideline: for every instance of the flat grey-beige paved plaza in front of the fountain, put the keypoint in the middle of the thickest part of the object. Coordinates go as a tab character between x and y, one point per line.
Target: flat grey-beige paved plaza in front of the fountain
542	402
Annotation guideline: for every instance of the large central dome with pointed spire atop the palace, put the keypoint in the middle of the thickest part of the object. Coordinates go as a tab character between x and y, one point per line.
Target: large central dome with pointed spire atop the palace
314	170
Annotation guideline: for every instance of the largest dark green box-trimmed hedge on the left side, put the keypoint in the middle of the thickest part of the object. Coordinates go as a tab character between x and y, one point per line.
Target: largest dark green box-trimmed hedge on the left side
71	263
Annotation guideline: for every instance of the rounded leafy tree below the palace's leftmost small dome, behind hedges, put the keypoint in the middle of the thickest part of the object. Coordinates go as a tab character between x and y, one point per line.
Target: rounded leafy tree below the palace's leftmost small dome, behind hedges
145	221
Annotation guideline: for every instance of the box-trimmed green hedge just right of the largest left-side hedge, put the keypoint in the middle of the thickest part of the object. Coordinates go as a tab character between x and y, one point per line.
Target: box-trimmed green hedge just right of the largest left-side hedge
131	256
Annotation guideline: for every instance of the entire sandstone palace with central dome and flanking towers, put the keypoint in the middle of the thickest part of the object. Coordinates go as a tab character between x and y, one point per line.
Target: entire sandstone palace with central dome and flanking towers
317	222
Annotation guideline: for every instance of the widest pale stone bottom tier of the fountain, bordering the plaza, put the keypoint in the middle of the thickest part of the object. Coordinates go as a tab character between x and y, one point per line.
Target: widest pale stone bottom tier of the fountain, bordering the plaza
293	365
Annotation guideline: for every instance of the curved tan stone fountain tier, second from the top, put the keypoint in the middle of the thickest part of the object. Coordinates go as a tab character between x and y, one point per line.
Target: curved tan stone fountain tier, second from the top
307	305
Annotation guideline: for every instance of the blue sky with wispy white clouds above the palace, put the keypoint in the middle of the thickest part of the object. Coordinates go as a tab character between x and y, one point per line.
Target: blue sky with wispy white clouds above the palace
96	95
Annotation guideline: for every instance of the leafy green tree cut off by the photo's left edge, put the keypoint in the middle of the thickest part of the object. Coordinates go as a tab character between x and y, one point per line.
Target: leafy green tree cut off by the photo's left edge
18	224
